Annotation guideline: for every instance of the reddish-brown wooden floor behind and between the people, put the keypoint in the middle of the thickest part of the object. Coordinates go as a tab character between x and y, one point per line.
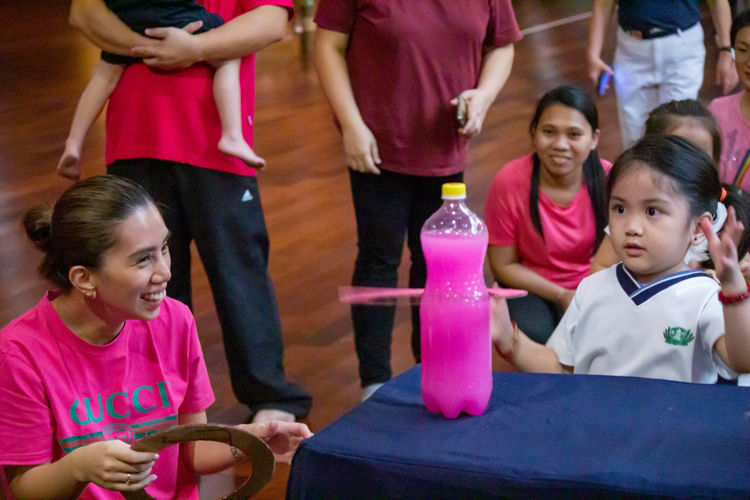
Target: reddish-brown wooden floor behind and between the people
45	65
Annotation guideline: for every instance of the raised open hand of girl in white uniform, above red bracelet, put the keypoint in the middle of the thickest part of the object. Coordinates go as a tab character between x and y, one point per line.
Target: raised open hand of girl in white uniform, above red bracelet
723	250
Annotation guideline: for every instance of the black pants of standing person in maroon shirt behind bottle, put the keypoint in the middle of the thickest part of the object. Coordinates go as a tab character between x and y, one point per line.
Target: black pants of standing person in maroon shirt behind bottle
388	207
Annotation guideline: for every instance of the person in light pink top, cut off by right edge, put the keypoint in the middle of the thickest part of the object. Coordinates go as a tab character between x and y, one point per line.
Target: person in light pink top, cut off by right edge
733	112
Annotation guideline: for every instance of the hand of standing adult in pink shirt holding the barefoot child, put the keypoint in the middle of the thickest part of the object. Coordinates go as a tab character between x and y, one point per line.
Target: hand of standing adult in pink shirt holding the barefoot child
177	47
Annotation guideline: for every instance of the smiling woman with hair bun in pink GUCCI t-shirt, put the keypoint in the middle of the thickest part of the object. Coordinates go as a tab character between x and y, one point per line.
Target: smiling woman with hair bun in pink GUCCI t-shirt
107	358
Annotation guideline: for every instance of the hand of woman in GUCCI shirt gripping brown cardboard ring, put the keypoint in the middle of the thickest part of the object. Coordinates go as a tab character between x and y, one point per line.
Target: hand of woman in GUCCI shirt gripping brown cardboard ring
113	466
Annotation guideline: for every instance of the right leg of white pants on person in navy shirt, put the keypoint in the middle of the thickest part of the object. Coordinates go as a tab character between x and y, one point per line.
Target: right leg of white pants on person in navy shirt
680	60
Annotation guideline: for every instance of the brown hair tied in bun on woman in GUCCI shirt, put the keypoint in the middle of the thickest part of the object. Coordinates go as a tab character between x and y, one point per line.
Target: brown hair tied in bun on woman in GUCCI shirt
82	225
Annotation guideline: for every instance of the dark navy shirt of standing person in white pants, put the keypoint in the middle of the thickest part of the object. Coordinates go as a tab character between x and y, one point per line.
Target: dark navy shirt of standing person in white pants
665	14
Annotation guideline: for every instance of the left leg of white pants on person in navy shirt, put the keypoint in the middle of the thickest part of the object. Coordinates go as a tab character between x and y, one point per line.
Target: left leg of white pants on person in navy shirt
636	84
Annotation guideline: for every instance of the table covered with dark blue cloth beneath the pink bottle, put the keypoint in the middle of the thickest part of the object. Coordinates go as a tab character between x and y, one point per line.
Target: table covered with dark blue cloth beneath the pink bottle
542	436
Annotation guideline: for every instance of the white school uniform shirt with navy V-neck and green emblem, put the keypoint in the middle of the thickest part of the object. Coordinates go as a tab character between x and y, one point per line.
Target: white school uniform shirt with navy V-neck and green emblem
666	329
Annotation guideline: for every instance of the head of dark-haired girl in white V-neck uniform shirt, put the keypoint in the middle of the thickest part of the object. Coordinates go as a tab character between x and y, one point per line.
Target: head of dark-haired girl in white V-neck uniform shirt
658	191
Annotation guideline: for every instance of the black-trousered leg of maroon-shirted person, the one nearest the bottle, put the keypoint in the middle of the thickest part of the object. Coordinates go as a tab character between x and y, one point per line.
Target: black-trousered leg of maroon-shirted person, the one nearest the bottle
426	200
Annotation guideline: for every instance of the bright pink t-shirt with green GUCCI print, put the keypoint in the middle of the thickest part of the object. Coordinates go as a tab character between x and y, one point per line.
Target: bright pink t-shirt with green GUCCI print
59	392
